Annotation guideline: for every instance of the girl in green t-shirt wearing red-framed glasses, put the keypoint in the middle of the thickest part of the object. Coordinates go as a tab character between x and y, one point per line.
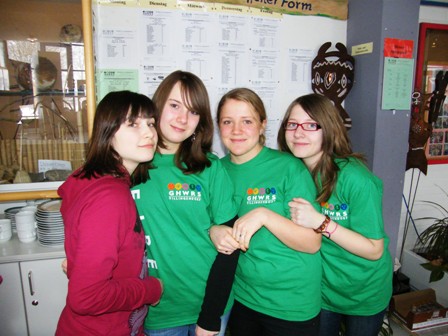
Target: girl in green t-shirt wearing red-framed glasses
357	266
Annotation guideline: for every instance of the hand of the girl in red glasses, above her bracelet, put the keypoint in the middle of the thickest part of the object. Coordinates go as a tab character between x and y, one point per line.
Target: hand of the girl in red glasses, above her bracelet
303	213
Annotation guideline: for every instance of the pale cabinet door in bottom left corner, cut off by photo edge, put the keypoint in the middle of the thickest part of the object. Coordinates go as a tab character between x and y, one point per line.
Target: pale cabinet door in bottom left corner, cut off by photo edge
12	309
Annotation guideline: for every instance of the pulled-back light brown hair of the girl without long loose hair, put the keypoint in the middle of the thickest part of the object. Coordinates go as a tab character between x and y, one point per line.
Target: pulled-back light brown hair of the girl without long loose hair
250	97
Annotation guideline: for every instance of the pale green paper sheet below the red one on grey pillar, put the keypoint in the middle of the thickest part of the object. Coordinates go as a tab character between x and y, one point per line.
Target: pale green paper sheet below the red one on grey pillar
397	83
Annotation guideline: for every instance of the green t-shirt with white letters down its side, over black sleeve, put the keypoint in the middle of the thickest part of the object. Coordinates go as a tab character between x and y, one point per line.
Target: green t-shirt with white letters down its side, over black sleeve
177	210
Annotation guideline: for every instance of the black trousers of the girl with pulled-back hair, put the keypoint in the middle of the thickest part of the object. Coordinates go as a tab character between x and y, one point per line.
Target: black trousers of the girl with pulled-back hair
248	322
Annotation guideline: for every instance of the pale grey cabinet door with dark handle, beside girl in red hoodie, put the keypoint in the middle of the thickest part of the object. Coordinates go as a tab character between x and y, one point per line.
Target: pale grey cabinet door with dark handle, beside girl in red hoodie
45	292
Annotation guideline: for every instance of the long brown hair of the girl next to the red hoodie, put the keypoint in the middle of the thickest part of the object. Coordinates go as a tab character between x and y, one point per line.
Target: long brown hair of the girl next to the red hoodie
191	157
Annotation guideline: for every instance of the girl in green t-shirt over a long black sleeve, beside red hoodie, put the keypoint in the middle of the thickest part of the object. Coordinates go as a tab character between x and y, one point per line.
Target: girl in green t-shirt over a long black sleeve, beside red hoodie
188	191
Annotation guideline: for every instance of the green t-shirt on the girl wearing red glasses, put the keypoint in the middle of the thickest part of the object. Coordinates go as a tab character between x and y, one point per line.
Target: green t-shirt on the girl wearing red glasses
351	284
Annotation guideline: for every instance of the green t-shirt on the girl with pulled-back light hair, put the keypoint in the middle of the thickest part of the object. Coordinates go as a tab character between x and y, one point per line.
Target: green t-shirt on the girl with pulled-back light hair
272	278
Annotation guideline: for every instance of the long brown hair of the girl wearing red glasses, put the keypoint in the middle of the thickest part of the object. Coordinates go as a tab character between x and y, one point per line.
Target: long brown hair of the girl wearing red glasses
335	143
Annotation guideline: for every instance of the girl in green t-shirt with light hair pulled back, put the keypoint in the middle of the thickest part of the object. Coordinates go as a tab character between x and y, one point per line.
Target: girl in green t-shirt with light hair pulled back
277	281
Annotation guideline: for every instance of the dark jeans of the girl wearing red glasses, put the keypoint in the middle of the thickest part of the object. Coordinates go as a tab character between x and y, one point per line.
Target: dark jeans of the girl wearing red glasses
355	325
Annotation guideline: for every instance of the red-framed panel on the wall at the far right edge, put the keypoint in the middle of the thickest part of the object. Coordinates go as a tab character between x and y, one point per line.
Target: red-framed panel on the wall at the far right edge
432	59
